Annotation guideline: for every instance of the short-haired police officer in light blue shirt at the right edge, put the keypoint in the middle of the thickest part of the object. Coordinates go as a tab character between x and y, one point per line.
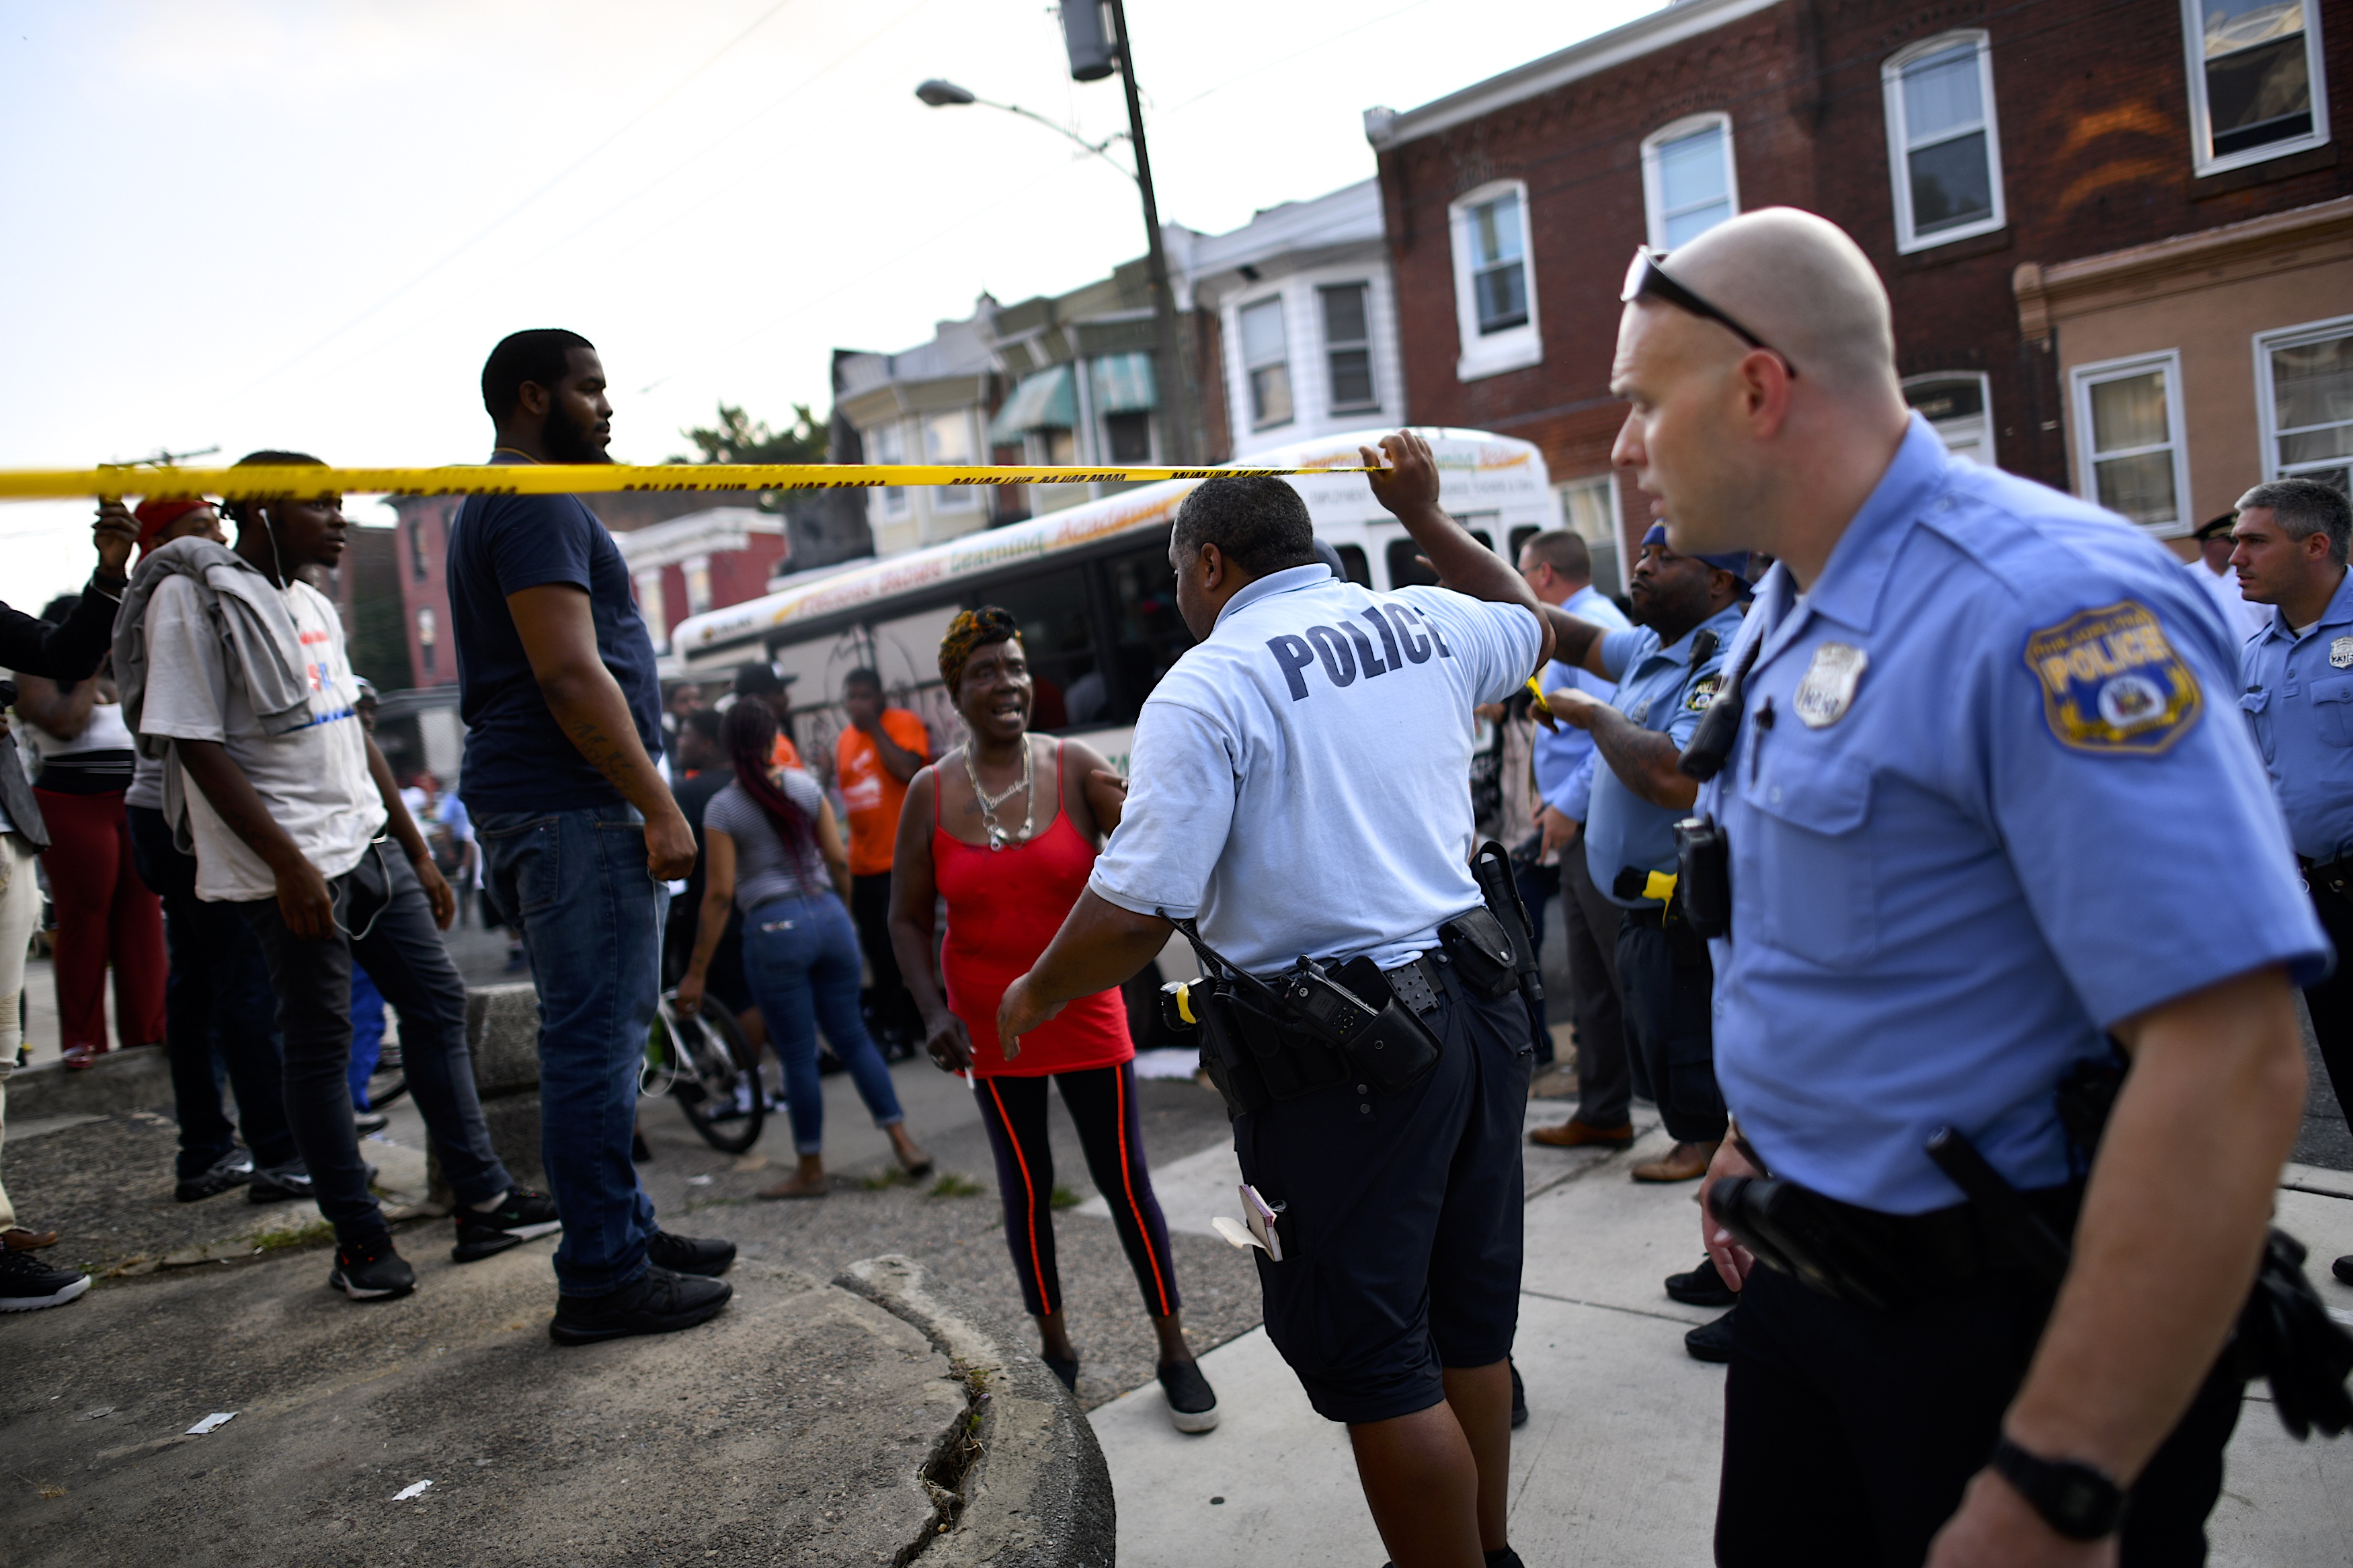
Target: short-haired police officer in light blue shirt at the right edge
2298	695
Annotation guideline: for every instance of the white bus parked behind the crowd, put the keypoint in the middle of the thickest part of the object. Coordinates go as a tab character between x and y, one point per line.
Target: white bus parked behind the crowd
1091	587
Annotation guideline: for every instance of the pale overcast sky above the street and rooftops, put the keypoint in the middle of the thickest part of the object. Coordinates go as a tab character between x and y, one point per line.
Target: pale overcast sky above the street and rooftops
305	222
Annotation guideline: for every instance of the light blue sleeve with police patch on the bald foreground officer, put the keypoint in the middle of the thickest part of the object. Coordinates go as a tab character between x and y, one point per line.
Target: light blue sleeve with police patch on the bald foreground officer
2133	805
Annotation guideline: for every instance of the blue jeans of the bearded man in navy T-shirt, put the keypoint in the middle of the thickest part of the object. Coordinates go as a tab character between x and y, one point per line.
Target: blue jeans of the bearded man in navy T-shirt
575	885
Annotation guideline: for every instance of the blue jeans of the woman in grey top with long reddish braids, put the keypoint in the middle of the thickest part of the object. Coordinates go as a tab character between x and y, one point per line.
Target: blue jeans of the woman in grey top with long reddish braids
801	958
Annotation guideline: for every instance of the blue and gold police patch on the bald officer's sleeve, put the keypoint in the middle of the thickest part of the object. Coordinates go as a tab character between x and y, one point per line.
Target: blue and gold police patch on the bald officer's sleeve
2112	683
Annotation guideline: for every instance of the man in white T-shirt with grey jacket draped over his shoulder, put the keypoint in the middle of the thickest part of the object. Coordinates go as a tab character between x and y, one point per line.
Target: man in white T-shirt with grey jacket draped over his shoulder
234	676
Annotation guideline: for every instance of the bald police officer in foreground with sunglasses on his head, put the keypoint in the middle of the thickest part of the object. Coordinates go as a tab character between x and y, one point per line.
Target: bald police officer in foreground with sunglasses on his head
1985	810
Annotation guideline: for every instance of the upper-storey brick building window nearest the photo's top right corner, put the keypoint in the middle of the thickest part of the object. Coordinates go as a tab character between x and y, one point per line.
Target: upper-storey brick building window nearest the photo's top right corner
2255	81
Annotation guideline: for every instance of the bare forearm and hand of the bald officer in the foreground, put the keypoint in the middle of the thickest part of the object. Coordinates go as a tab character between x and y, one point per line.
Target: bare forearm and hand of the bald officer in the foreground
2171	1233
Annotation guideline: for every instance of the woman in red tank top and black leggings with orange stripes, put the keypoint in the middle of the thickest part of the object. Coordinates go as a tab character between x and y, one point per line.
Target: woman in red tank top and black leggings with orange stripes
1006	829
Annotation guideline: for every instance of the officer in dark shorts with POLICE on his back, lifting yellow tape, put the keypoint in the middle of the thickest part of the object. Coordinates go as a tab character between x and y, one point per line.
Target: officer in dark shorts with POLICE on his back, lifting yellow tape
1300	791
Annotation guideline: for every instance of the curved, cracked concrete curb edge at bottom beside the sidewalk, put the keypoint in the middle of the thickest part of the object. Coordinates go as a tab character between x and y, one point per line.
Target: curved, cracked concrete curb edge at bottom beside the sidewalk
1036	1492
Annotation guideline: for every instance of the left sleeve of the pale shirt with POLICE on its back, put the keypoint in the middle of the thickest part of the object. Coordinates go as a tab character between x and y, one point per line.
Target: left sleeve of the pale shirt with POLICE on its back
1182	786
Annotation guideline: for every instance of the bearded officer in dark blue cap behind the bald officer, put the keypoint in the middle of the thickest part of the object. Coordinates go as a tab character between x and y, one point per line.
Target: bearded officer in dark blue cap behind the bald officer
1667	671
